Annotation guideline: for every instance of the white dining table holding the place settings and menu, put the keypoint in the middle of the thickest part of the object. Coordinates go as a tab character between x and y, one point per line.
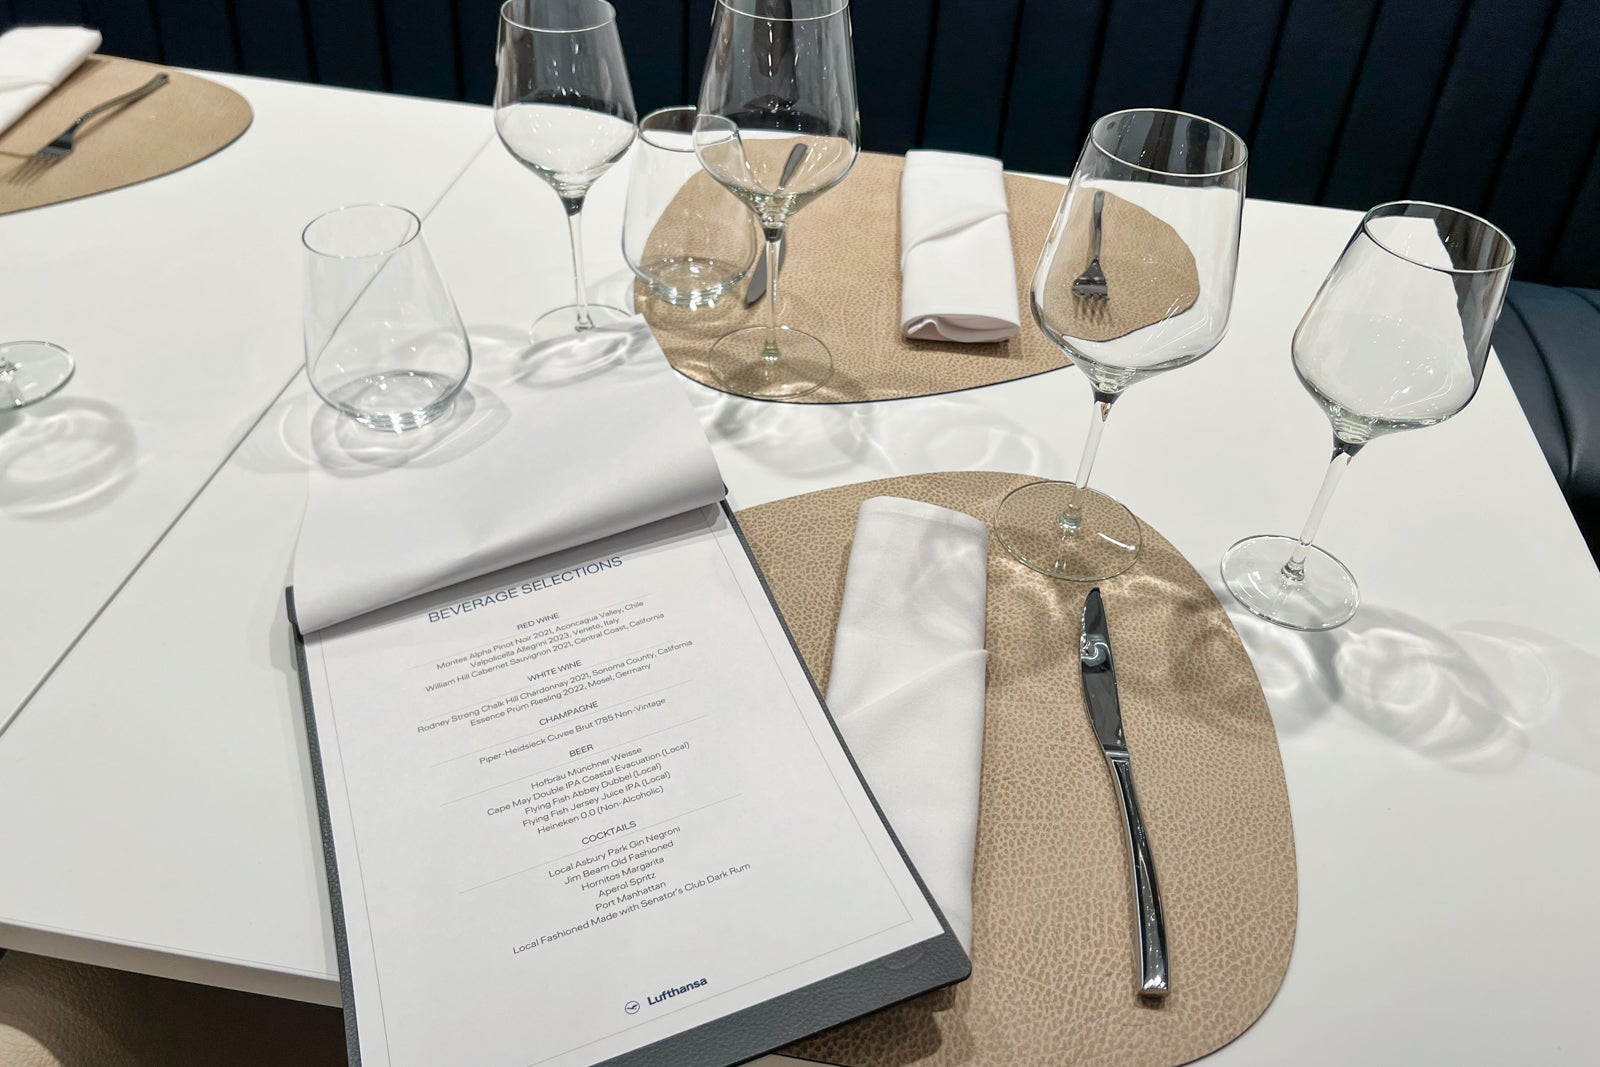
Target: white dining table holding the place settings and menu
156	802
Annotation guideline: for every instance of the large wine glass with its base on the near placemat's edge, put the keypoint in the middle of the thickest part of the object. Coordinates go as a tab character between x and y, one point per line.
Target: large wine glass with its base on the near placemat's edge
1137	278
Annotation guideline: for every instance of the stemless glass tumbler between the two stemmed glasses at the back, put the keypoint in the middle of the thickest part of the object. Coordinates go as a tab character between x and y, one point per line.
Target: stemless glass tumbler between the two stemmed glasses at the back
686	236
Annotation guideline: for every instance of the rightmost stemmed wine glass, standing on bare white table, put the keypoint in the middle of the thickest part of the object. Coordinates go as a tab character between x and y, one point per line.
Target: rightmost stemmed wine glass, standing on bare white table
1394	340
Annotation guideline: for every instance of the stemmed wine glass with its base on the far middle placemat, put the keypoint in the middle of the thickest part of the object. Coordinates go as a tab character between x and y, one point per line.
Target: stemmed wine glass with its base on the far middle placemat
778	127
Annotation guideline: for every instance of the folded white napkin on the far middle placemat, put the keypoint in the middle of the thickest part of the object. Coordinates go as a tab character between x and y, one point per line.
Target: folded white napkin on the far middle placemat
958	271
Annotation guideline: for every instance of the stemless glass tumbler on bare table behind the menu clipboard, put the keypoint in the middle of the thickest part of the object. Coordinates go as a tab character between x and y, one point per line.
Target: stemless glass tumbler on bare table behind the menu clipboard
385	343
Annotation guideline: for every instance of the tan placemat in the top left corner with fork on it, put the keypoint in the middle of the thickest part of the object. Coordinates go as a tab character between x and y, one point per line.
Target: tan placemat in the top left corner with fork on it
177	126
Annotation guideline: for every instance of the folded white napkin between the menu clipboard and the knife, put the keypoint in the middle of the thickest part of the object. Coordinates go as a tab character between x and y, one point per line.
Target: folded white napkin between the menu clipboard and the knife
908	684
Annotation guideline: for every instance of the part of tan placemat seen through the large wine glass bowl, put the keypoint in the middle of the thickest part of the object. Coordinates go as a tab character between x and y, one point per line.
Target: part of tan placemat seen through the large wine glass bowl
1150	273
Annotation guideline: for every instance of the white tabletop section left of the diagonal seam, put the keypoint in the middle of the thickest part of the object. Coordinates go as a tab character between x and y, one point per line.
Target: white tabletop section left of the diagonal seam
180	302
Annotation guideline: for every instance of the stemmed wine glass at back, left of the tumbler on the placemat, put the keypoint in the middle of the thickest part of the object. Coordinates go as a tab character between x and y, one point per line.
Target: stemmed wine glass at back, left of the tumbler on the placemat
564	108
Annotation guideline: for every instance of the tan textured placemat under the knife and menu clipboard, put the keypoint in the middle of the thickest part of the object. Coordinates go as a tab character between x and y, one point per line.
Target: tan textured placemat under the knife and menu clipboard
1054	957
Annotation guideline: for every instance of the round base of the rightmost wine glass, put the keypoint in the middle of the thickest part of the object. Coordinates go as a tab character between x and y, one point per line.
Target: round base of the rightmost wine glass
1324	599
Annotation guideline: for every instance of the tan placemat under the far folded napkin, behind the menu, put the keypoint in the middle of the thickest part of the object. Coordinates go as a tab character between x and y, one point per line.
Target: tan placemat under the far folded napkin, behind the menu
841	282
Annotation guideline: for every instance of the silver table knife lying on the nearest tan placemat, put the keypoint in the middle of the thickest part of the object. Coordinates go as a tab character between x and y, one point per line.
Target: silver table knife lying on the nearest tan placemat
1100	695
